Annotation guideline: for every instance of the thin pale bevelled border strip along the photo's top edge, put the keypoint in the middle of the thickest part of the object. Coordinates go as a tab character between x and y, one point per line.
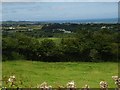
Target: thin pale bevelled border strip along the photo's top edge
60	0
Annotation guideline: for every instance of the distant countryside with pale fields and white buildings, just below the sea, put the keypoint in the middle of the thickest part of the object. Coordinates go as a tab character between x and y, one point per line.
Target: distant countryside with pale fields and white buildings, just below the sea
66	28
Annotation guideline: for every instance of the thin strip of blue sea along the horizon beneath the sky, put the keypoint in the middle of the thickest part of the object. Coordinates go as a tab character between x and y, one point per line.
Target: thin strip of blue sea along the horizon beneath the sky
107	20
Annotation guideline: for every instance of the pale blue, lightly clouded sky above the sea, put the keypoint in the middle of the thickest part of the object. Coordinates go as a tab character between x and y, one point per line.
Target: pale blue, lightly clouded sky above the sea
43	11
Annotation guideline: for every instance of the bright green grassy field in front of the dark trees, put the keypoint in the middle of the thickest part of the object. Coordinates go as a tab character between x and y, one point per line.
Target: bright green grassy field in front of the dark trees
33	72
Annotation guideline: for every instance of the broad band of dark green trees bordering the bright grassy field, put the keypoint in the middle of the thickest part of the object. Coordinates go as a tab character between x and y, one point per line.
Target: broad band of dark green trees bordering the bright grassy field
86	45
